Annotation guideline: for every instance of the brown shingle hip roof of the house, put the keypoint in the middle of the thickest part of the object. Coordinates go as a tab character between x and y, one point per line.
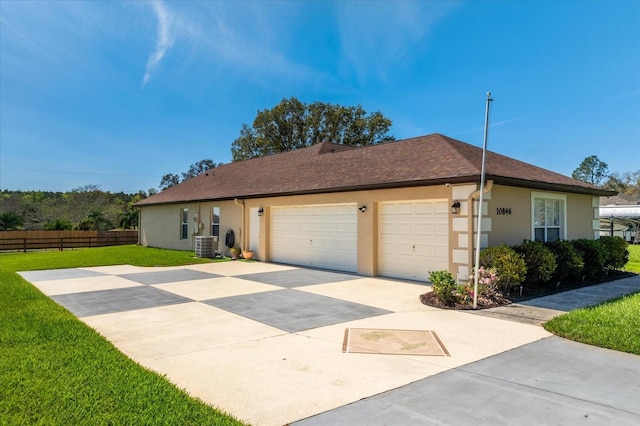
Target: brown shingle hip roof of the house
328	167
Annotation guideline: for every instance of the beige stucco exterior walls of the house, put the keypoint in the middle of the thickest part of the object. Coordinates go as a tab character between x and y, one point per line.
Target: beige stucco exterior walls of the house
507	218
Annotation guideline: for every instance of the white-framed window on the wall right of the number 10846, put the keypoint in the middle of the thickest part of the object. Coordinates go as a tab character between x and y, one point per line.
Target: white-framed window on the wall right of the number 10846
548	217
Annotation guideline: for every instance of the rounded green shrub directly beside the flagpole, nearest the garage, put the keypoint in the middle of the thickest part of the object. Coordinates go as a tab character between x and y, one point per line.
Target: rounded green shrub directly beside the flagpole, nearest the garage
509	265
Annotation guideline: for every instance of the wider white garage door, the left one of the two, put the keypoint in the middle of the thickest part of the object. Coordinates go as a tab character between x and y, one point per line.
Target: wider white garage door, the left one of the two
321	236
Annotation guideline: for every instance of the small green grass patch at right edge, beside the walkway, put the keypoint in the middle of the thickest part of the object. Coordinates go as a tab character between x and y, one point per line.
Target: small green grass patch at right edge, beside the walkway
614	325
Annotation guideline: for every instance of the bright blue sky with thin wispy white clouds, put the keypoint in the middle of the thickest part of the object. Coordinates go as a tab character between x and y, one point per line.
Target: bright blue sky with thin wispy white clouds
118	94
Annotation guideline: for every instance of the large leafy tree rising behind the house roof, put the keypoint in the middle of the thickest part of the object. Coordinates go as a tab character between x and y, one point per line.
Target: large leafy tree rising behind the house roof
292	124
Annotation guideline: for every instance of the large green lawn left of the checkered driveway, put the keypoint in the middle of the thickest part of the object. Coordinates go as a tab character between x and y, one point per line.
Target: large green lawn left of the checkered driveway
55	370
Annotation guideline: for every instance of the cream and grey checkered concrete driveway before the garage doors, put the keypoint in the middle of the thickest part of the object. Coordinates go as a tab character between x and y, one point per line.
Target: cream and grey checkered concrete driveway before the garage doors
263	342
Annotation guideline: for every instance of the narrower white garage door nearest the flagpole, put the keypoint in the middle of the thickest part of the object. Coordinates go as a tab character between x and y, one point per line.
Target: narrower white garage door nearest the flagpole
414	238
